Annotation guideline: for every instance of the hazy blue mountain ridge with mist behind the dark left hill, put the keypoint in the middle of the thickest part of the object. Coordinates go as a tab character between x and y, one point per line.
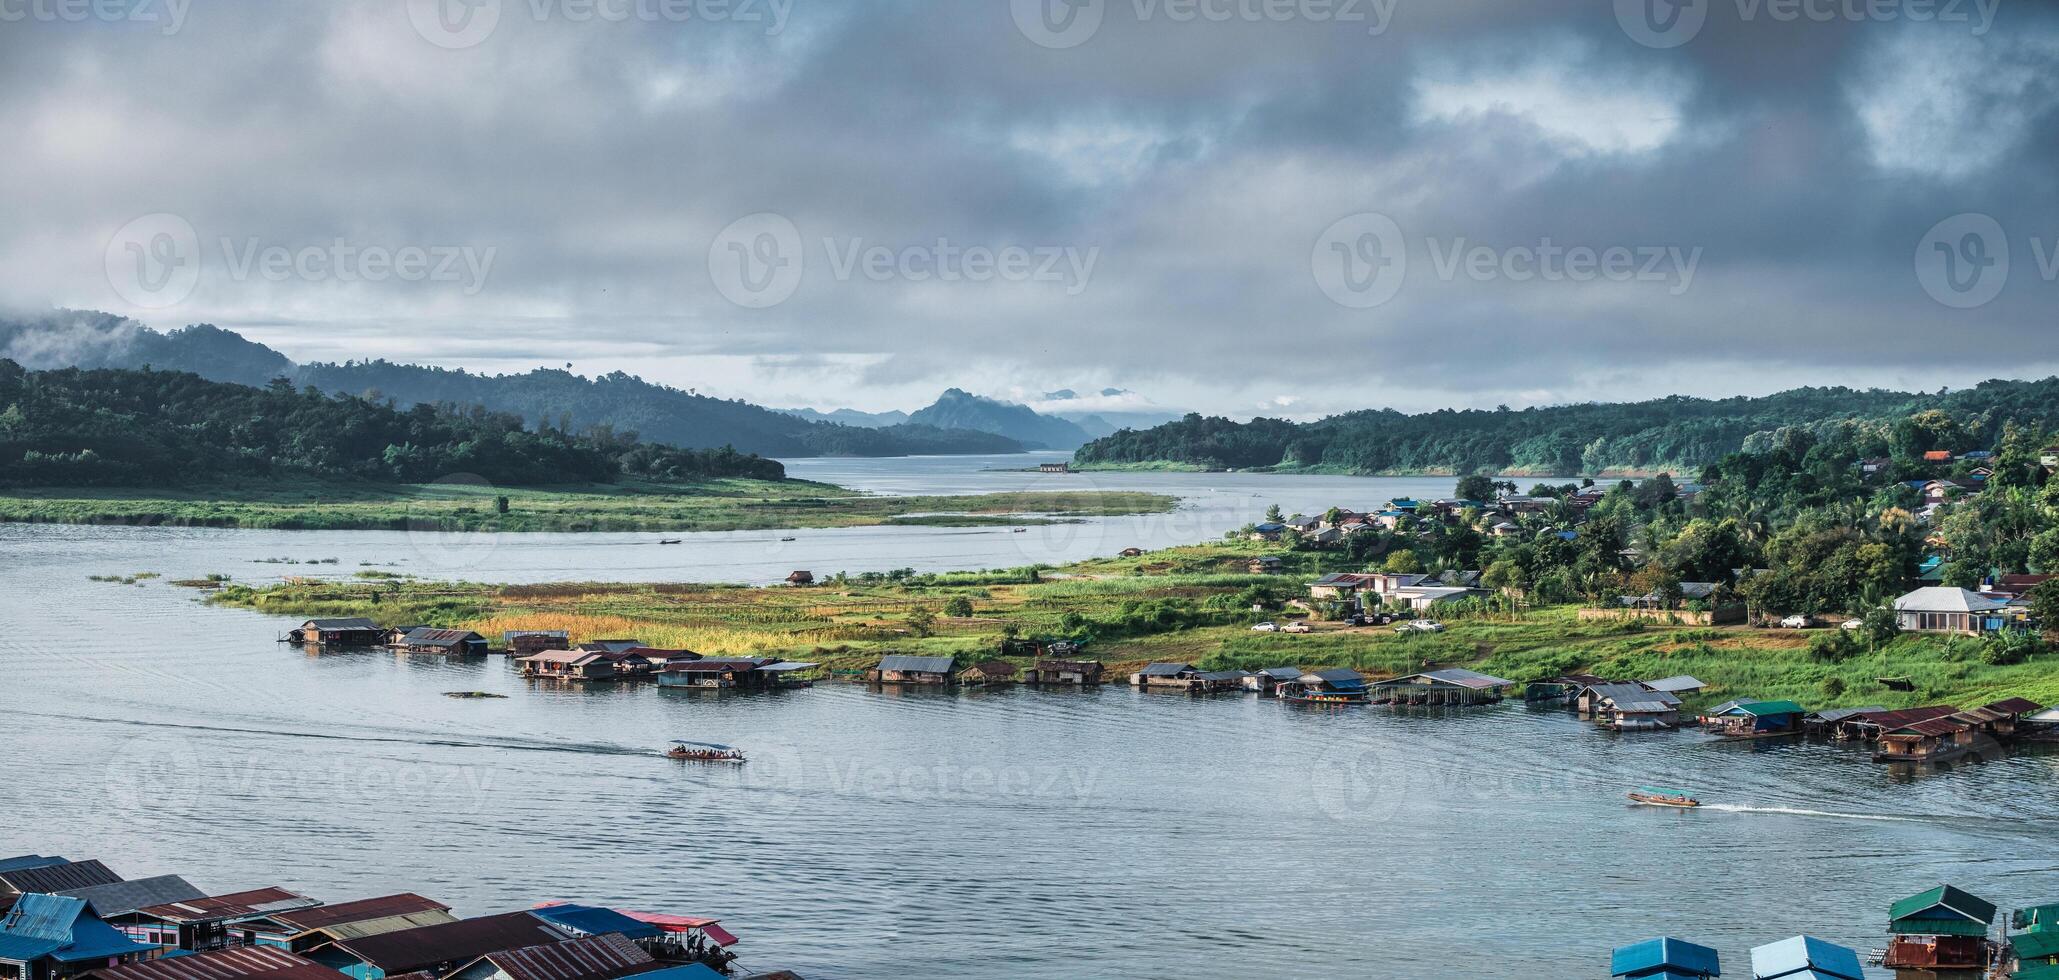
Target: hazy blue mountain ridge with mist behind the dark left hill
619	402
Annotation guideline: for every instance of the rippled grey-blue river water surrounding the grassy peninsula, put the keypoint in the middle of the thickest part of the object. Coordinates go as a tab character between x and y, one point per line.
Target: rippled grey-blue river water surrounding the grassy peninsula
985	835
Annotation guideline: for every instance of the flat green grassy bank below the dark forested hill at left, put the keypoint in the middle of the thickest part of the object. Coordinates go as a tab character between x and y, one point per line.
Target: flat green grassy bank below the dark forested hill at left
716	505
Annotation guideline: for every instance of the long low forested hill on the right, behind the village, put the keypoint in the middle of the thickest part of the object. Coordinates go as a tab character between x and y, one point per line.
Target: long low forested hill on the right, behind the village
1671	433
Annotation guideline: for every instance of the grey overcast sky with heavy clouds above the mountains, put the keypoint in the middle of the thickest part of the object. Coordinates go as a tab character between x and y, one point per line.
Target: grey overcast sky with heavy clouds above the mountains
1288	209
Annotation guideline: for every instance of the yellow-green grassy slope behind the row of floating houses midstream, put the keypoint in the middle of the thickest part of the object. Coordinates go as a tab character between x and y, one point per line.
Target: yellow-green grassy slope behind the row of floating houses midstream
1183	604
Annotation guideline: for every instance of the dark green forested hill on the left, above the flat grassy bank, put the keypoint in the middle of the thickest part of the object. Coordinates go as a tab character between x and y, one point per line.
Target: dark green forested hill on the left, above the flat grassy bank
164	429
